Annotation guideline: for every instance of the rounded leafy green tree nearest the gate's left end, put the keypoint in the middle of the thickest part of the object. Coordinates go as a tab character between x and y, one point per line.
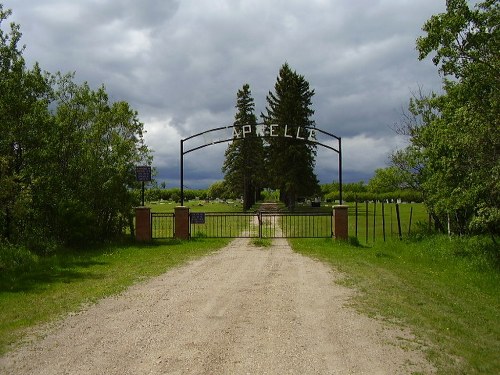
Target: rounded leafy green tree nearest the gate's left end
98	145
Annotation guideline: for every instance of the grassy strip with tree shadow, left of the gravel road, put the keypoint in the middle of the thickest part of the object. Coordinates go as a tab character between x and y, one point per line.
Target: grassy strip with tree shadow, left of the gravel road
66	281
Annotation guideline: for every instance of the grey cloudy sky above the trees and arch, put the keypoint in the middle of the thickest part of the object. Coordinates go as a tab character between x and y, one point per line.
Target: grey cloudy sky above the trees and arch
180	64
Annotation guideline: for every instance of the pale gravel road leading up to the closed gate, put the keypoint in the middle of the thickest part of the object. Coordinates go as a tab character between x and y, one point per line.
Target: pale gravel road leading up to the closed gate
241	310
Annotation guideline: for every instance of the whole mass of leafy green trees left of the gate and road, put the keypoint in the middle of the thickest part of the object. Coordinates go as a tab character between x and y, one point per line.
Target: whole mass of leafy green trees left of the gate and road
67	155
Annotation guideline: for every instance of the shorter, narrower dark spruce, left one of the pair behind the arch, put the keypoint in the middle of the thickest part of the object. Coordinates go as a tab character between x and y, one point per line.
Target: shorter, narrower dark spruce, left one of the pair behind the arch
244	157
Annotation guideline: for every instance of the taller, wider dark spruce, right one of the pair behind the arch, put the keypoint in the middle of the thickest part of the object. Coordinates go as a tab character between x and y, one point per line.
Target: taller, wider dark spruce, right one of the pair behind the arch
291	161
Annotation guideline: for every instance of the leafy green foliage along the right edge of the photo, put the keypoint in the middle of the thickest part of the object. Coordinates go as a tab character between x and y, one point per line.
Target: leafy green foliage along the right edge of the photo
454	156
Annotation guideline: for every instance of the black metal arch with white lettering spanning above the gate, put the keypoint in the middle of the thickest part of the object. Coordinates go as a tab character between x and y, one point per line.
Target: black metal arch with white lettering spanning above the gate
233	132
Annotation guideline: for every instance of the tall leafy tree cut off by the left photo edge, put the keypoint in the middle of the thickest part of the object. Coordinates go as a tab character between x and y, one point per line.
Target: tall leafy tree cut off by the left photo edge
24	95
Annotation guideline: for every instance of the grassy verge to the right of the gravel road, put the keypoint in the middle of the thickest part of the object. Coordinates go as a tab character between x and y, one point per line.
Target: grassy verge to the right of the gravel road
446	290
